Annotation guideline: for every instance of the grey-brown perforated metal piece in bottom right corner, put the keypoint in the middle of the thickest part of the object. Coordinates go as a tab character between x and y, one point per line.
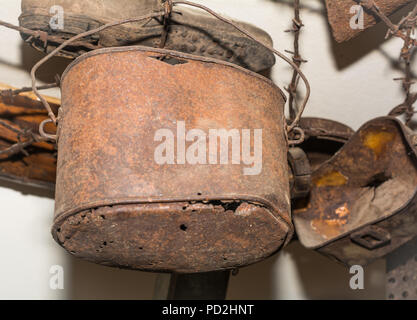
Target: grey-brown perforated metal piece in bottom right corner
402	273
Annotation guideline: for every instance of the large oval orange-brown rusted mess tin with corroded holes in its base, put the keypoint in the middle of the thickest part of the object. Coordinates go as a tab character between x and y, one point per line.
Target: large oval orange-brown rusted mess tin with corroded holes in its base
116	205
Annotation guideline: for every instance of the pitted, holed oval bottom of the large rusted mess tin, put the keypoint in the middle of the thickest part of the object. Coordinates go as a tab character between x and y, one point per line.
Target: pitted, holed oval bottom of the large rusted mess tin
177	236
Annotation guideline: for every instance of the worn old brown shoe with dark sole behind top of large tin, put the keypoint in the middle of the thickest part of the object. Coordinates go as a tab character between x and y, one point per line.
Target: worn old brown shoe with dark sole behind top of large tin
187	31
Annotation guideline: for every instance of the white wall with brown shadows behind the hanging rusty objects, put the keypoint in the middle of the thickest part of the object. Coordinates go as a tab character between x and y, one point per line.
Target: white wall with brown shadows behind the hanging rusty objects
351	83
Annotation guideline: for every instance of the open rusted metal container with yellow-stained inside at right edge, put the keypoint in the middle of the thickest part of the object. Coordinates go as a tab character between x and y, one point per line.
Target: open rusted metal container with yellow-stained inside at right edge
363	201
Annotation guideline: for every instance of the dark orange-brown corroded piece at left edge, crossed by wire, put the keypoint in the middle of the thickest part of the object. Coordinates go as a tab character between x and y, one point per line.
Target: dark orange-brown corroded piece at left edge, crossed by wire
24	112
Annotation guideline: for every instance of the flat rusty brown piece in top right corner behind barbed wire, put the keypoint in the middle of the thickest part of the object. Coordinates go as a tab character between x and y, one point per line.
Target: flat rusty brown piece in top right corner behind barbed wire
340	16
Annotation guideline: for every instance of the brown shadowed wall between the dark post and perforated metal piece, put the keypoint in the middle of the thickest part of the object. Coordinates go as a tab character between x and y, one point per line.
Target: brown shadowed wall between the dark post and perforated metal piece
319	278
